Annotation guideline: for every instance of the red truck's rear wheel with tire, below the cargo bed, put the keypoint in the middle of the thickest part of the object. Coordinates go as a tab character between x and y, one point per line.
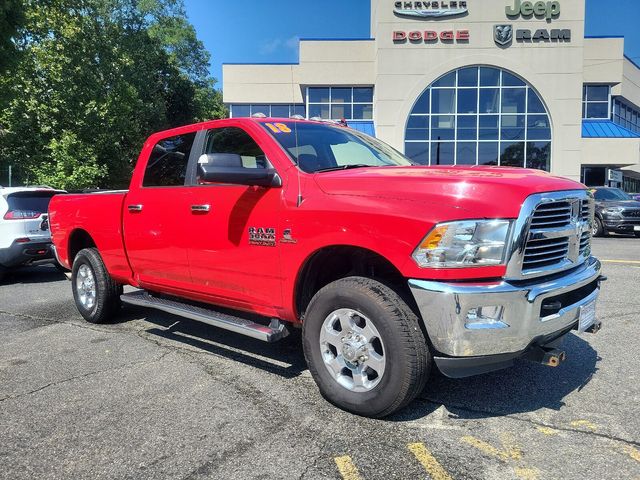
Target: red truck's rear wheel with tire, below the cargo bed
96	295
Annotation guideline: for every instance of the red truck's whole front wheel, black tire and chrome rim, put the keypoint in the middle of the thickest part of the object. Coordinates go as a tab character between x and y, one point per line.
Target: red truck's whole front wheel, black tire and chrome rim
364	347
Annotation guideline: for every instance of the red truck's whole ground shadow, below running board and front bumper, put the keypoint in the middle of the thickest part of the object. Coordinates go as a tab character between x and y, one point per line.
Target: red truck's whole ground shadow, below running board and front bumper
523	388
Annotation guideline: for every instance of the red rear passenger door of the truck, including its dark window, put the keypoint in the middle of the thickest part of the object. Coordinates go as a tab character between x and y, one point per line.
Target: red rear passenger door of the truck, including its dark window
155	211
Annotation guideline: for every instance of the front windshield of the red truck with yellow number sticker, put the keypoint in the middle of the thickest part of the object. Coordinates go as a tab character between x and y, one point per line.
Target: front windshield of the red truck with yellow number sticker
317	147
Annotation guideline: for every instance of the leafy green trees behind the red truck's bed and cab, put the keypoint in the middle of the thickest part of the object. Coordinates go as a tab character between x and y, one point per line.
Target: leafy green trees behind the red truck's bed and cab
94	79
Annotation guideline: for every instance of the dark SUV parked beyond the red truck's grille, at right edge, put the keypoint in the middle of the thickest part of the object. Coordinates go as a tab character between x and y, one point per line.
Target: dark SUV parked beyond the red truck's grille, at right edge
616	212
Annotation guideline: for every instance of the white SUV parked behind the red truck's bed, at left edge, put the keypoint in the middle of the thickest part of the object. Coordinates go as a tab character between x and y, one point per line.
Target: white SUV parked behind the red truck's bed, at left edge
24	227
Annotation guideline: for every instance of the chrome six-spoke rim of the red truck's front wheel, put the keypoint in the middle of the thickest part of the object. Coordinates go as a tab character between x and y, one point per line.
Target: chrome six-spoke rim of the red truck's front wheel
352	350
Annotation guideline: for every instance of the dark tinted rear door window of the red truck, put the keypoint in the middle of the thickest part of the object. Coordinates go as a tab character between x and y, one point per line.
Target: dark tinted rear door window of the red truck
167	166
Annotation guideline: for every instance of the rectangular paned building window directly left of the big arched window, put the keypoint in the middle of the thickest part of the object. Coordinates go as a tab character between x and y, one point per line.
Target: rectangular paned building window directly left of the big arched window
337	103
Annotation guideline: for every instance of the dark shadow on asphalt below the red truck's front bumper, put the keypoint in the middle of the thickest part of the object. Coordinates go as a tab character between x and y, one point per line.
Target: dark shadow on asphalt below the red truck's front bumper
523	388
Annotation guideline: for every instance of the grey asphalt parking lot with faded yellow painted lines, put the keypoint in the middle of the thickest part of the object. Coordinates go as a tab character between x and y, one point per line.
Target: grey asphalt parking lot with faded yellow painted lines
155	396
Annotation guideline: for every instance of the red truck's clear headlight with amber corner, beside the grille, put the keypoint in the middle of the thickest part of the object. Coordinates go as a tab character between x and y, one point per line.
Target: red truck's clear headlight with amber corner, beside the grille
468	243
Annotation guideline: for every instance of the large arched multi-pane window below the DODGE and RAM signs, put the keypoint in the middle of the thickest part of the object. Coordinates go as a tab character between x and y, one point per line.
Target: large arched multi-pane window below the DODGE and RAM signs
479	116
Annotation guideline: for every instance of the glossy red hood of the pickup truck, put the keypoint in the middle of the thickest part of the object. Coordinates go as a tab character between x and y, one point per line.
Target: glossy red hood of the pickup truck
483	192
